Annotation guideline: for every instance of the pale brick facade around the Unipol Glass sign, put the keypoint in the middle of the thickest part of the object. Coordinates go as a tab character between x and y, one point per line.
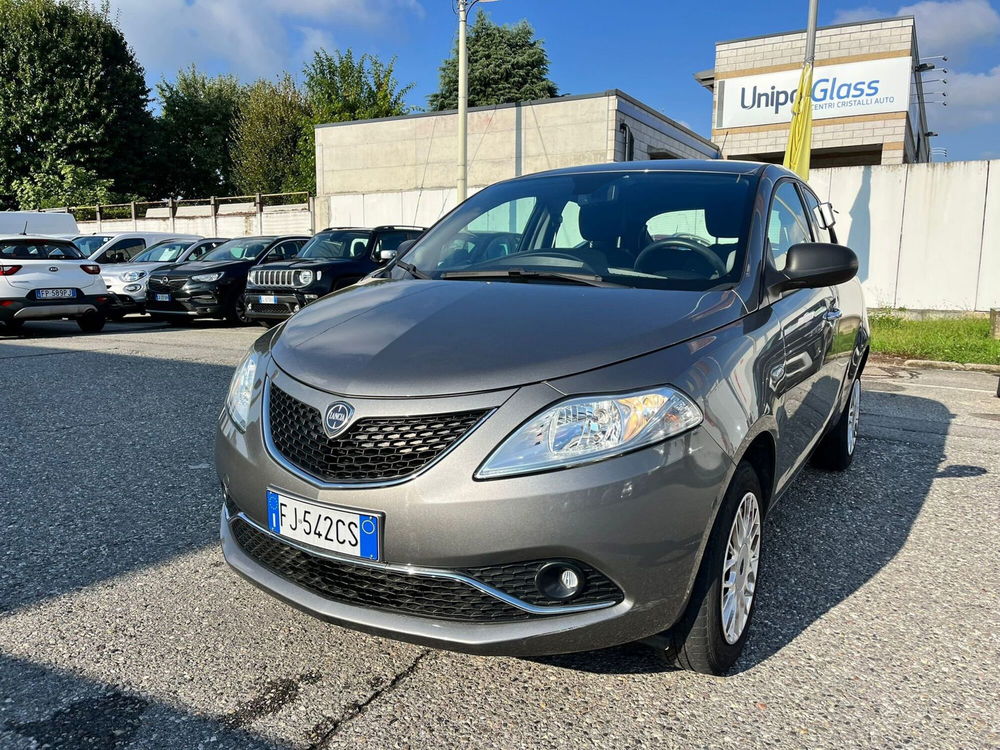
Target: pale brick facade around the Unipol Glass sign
887	38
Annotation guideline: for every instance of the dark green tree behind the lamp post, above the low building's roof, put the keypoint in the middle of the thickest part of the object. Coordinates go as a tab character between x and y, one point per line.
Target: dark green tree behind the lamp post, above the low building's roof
507	64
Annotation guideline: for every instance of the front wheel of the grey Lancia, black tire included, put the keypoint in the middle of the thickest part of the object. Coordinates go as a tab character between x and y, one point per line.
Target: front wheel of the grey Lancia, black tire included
701	641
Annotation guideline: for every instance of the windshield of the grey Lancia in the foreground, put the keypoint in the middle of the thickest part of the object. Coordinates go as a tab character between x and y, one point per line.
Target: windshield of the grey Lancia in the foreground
655	230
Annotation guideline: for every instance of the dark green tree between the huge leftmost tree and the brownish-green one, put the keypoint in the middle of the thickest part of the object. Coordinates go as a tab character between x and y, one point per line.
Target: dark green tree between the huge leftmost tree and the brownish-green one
195	135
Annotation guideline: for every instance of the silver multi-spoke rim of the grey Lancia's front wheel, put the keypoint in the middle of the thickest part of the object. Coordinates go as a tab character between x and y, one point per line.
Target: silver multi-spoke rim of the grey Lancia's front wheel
739	568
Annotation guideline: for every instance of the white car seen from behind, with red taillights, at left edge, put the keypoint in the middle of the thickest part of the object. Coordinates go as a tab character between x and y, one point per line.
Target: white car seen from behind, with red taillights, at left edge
46	278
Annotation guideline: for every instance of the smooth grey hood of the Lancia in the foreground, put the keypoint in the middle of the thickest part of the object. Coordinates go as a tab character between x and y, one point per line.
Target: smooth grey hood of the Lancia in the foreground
388	338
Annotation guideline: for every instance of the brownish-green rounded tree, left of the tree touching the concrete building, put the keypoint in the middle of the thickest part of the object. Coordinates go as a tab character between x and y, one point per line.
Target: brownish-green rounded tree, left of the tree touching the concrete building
267	135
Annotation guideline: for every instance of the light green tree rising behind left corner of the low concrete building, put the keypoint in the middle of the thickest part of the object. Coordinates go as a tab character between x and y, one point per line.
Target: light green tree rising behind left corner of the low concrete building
340	88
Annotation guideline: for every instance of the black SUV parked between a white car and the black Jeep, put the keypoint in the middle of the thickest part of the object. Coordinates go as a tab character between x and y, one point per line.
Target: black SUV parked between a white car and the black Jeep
212	287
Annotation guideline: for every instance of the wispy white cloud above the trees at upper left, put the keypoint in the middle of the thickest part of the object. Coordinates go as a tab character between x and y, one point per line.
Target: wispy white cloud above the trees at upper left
248	37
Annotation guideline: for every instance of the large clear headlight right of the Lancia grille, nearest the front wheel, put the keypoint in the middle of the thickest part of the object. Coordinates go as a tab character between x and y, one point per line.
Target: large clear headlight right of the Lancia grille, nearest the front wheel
581	430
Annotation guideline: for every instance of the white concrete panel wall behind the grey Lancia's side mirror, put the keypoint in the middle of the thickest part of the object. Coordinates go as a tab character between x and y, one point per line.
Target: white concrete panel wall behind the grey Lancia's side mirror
927	235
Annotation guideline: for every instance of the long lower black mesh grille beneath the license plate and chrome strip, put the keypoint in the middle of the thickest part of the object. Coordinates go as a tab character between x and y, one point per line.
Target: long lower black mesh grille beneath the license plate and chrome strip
372	587
